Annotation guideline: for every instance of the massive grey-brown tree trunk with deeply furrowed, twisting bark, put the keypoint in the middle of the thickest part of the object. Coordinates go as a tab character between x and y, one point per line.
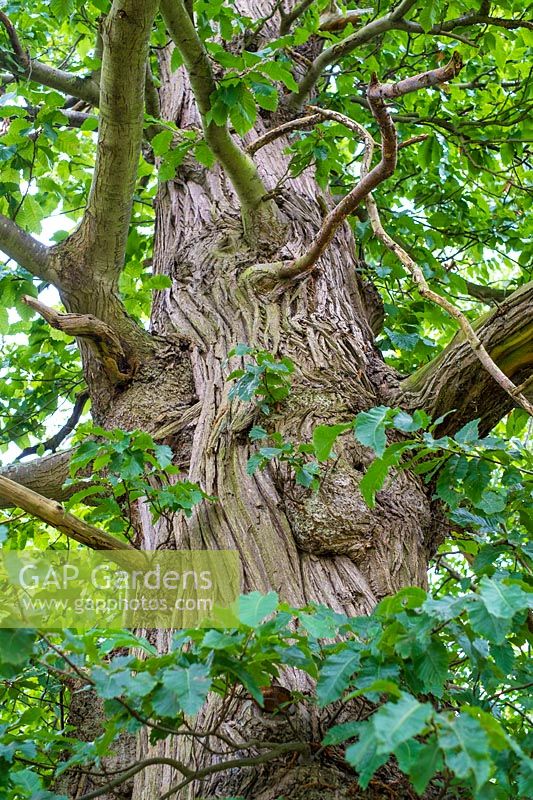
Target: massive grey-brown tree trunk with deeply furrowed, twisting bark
327	546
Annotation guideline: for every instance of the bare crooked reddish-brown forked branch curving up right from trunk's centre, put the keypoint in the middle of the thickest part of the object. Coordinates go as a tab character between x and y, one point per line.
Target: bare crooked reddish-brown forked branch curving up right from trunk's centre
266	276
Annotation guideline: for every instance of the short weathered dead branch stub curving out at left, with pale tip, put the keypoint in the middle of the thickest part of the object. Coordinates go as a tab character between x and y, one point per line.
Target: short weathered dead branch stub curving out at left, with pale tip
102	339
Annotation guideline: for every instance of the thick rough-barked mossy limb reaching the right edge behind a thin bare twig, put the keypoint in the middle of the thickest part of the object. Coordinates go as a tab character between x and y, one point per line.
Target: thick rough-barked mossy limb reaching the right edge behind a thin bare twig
457	379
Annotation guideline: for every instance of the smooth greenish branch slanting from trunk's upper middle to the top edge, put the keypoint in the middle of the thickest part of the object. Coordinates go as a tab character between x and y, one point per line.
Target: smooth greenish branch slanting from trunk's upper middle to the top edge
238	166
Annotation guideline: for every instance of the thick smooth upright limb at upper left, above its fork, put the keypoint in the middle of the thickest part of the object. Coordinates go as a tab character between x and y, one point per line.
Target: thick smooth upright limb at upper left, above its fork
125	34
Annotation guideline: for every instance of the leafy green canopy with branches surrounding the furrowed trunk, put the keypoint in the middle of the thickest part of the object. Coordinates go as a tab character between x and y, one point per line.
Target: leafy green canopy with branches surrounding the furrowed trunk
413	119
